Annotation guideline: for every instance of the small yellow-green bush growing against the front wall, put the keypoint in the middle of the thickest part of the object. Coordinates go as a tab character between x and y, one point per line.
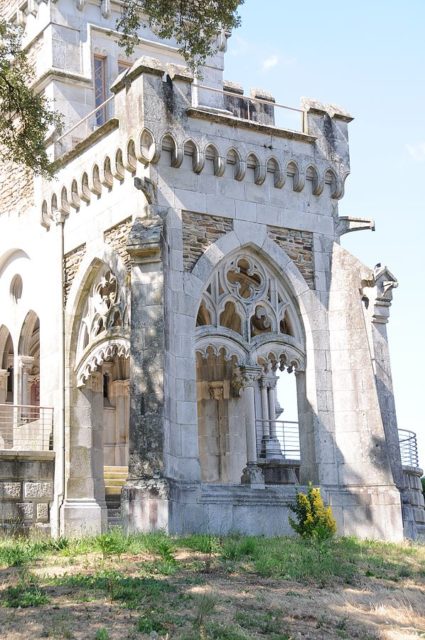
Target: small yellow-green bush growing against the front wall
314	520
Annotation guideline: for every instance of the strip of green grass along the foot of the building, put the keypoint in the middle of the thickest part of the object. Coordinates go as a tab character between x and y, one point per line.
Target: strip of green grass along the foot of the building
345	559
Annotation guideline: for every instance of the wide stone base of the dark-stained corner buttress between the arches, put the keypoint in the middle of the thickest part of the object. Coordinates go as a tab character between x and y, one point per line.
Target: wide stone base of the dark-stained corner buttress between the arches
145	505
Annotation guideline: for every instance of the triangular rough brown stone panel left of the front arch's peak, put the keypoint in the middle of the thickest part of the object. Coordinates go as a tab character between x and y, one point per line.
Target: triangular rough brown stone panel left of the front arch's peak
199	232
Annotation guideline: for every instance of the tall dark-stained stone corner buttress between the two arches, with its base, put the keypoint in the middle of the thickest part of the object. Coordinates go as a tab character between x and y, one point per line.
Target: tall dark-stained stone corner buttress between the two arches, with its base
145	497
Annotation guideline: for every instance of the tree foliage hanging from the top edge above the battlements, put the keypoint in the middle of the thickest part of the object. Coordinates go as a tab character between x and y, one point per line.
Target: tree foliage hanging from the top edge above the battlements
194	24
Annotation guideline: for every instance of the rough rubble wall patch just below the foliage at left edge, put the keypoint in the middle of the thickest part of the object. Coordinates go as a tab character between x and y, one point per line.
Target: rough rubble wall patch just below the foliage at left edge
16	188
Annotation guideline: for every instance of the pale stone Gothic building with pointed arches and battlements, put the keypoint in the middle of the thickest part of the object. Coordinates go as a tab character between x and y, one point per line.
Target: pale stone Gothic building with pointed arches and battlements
164	296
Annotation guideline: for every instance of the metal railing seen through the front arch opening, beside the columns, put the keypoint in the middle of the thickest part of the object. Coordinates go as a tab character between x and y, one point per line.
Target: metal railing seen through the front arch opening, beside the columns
278	439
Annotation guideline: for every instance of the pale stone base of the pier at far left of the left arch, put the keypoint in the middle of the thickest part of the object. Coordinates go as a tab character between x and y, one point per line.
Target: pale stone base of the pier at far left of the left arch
83	517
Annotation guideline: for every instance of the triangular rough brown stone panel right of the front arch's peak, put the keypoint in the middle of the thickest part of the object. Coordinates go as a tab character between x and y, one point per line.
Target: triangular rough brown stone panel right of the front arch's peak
299	247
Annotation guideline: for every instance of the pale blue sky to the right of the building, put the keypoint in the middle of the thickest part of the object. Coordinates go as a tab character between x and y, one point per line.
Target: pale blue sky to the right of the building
370	59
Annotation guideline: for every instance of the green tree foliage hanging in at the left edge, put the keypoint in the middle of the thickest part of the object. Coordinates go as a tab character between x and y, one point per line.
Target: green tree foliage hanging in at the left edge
25	117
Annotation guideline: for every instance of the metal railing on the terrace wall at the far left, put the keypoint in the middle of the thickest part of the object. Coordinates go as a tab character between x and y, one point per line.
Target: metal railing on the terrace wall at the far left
26	427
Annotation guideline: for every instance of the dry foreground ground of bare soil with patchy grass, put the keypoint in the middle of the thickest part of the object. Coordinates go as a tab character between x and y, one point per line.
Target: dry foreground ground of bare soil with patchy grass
136	597
